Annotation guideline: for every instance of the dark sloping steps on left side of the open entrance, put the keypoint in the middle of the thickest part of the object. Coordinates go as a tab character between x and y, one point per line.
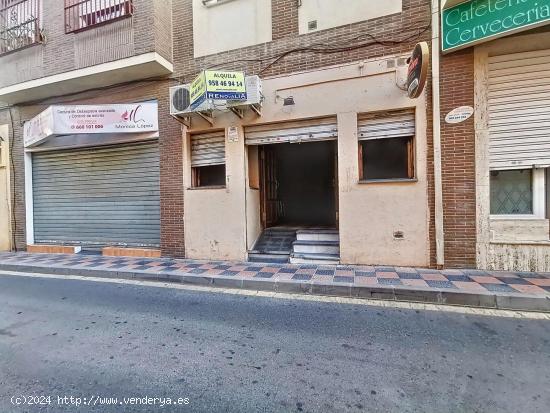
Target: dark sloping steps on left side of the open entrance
274	245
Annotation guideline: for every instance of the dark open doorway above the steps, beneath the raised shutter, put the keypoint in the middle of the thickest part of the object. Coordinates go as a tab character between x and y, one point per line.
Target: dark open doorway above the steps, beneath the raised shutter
298	184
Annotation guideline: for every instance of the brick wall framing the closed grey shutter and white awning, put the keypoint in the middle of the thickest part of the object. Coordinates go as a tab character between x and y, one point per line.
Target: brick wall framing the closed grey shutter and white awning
170	143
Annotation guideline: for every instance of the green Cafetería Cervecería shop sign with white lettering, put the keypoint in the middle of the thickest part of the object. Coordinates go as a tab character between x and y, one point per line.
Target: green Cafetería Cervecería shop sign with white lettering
476	21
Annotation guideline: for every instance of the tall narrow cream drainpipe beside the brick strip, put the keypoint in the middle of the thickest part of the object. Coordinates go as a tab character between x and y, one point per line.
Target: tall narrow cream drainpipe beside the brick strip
438	185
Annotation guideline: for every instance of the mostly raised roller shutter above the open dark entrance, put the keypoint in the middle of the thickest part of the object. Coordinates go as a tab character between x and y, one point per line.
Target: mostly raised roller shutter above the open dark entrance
295	132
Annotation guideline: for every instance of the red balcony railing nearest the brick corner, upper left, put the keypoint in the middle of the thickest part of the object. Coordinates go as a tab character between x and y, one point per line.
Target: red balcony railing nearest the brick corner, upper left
84	14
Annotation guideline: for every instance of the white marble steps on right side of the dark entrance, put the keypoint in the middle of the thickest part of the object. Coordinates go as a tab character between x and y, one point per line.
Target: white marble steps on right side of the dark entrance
316	246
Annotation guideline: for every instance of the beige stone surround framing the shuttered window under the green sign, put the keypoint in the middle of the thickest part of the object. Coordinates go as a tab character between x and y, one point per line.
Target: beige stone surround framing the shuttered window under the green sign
512	245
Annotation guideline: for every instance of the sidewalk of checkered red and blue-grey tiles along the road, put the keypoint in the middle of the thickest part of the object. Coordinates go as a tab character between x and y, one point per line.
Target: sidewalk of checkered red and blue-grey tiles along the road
468	287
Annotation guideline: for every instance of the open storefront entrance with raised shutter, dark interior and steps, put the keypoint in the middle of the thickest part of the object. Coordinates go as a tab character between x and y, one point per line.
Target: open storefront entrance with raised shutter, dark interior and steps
298	192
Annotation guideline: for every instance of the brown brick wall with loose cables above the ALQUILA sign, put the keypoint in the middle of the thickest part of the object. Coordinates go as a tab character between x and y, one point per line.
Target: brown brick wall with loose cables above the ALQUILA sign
295	52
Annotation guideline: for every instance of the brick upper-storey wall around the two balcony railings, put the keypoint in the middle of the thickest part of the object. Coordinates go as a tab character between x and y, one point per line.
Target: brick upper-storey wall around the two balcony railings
148	30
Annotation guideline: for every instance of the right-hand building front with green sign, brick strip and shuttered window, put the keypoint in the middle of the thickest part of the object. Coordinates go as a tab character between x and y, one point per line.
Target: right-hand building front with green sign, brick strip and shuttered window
495	163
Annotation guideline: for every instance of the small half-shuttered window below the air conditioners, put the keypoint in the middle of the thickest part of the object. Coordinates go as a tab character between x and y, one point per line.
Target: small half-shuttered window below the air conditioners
208	159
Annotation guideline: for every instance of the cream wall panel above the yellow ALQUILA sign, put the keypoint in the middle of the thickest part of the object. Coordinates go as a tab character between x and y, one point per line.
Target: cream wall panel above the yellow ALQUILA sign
211	25
